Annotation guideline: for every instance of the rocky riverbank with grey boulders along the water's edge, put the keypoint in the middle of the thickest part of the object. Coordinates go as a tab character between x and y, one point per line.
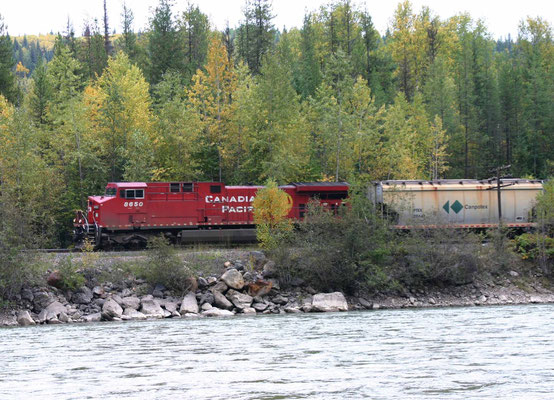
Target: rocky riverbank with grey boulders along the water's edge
239	290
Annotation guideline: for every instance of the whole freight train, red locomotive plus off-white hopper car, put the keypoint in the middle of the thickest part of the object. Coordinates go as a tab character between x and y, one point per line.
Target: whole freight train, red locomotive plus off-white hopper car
128	213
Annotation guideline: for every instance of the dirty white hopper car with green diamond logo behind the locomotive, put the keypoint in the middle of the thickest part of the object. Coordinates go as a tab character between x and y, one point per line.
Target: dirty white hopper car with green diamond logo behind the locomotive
456	203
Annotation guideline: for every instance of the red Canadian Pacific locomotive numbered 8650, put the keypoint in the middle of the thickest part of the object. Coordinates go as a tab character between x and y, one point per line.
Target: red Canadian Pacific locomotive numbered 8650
129	212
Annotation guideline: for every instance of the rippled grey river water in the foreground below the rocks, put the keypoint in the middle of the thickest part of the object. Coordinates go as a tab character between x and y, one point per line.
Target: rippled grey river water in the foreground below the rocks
452	353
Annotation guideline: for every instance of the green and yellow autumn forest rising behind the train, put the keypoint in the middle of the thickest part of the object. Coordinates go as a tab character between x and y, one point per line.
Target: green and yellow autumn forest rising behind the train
331	100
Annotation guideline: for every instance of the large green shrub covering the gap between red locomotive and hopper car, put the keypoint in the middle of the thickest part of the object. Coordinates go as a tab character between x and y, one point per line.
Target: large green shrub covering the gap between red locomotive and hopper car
349	251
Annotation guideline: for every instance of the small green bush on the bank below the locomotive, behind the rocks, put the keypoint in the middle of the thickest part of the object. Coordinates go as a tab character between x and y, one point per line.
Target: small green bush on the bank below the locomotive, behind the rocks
163	265
